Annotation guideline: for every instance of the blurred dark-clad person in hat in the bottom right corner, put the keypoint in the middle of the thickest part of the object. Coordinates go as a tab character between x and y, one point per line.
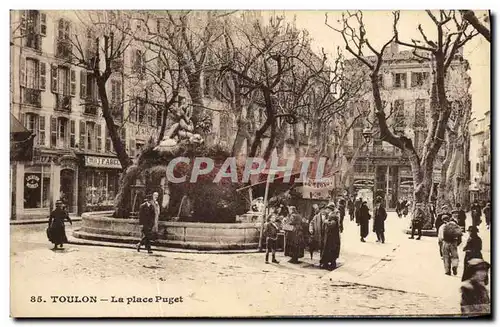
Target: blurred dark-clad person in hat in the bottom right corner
475	299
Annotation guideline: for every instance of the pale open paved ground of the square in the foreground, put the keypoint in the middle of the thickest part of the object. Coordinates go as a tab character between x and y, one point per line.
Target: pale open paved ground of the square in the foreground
372	279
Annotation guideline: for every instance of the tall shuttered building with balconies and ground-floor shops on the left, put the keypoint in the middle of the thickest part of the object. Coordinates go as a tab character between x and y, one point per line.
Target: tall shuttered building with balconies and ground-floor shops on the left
74	159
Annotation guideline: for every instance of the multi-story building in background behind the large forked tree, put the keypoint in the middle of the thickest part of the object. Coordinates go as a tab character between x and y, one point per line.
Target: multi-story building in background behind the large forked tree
405	87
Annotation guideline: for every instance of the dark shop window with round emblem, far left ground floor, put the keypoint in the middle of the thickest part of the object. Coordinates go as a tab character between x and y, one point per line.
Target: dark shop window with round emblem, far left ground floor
36	187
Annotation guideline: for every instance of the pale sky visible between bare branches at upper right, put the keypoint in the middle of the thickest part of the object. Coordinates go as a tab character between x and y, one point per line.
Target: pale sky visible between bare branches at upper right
379	28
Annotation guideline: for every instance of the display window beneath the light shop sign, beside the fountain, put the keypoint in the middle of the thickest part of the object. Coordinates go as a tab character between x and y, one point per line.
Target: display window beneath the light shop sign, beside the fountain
101	188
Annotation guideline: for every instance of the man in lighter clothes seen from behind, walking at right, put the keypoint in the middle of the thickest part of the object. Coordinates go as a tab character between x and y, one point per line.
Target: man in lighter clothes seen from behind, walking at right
452	237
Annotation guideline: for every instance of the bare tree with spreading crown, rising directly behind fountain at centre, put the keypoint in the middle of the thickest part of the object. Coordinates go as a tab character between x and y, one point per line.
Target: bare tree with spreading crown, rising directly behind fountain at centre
263	57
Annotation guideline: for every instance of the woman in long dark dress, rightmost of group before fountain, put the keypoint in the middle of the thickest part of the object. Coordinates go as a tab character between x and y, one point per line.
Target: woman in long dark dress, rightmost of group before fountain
331	241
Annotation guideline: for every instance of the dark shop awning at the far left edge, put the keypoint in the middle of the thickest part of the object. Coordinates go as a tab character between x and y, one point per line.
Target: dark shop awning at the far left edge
21	141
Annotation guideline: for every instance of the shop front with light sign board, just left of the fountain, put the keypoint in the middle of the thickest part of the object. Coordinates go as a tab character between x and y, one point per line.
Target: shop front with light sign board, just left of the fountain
98	182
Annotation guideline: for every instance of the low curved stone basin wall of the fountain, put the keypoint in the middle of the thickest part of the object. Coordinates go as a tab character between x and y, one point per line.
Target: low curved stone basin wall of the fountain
100	226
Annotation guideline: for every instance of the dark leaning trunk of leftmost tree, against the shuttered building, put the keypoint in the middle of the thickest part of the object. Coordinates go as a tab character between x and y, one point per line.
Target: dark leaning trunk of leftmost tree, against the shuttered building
118	145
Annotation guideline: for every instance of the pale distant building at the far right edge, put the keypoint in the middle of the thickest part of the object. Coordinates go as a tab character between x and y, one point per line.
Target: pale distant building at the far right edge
480	159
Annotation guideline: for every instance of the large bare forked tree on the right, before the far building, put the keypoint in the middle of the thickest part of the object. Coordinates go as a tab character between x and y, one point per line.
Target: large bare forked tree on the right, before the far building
442	53
